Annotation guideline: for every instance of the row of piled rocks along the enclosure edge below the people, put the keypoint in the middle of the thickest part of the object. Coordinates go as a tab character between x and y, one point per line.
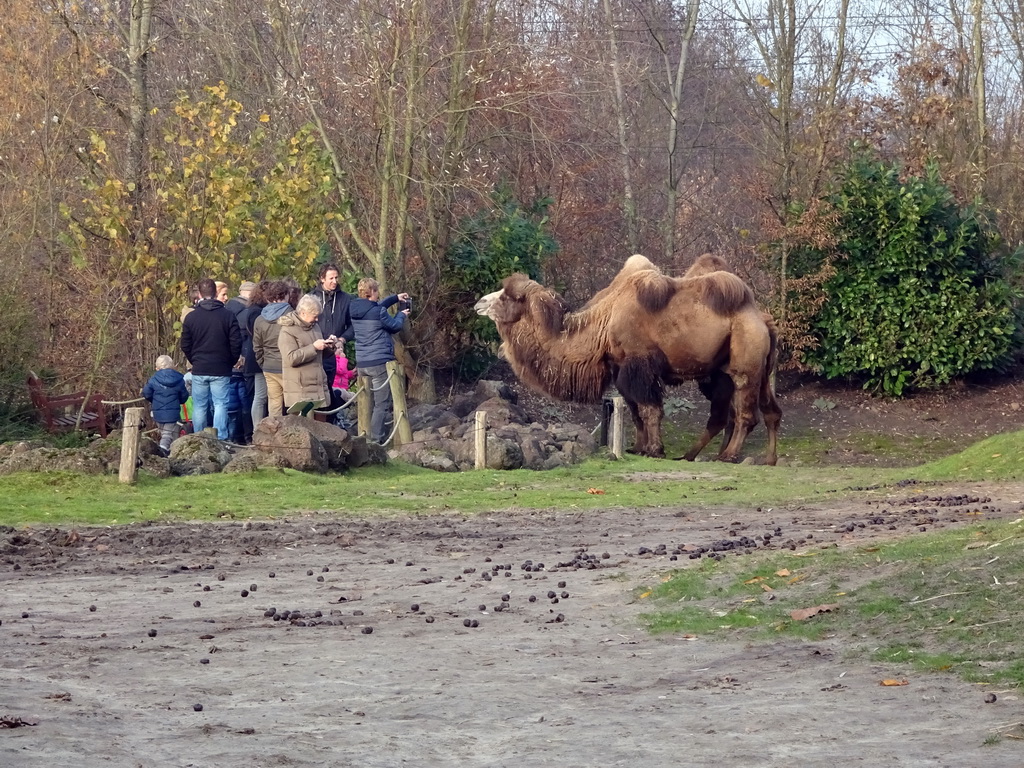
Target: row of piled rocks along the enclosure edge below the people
443	440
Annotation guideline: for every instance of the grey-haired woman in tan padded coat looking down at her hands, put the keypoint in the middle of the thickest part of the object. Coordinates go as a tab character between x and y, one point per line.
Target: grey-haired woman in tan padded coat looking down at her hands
303	348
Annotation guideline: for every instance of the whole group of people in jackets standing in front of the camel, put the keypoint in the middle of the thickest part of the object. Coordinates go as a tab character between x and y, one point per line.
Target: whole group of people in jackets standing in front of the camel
272	351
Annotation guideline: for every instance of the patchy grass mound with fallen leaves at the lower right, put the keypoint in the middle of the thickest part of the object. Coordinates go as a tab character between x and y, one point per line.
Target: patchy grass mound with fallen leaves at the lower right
943	602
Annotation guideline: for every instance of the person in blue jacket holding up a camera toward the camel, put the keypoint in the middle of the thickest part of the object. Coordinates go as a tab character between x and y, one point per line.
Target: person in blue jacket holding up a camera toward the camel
373	327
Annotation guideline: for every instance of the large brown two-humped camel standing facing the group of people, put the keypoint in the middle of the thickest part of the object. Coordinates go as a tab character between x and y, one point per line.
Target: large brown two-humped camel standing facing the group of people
644	332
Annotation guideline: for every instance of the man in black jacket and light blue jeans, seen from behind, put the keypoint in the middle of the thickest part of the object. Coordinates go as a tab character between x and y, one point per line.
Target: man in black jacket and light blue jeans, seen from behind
212	343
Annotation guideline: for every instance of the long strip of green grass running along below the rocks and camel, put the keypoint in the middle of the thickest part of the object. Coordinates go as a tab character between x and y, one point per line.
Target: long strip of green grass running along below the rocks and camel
631	484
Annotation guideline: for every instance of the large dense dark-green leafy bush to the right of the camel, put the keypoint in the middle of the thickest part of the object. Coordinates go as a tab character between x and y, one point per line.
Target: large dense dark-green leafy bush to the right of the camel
921	292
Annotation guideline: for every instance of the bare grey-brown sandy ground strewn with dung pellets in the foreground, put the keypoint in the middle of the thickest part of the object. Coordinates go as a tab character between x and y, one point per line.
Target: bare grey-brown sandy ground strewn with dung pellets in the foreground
573	684
